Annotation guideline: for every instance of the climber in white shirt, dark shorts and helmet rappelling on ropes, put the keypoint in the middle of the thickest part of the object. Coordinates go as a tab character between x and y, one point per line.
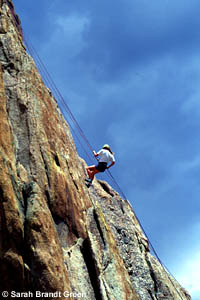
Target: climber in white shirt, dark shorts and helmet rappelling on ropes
106	156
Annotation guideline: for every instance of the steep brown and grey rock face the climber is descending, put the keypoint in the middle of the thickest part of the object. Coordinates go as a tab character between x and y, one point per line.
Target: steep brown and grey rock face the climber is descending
59	239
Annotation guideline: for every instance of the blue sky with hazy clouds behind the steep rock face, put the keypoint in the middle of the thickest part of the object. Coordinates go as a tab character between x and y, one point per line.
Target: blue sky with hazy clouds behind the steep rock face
130	71
